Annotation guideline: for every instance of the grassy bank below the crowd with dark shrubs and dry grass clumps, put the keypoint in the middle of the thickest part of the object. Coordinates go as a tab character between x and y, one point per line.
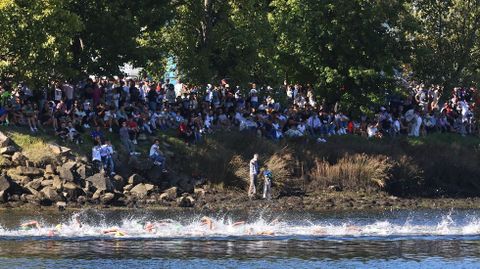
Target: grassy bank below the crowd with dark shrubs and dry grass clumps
440	165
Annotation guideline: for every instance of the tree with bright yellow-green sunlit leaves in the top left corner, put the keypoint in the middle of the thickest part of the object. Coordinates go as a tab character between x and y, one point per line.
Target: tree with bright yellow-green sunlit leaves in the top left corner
35	39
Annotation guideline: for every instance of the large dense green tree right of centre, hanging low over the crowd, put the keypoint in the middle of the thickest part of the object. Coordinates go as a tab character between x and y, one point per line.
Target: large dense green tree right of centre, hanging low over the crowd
347	48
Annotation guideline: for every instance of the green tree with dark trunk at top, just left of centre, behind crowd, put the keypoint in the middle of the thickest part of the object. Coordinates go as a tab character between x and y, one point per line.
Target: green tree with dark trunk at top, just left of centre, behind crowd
214	39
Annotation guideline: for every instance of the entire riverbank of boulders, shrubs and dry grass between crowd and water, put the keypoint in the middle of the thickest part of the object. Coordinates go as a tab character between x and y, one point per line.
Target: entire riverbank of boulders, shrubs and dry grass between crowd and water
345	172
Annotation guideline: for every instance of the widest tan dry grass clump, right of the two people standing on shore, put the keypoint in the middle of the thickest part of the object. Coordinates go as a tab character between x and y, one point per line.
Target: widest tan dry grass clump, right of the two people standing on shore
358	171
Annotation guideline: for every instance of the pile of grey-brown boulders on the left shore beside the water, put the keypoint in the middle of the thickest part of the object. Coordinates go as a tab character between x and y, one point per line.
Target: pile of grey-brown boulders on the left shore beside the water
72	181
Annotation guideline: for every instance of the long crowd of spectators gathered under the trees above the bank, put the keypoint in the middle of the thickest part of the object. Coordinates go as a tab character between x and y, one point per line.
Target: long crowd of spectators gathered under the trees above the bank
135	109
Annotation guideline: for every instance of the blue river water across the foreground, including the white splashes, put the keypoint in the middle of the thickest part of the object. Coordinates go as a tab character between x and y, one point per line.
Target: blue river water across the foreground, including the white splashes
178	239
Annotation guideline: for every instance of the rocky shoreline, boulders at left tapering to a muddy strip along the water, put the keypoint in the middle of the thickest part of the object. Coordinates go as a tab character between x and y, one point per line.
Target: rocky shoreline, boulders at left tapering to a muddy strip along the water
69	182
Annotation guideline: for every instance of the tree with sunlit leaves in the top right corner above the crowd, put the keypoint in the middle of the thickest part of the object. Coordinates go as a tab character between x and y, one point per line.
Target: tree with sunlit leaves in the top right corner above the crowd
447	47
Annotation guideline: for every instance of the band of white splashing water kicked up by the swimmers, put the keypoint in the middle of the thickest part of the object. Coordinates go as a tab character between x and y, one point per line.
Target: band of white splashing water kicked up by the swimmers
80	225
